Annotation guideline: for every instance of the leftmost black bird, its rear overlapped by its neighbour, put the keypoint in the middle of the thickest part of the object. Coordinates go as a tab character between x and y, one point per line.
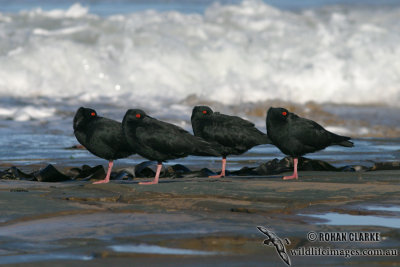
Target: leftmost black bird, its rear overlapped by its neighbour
102	137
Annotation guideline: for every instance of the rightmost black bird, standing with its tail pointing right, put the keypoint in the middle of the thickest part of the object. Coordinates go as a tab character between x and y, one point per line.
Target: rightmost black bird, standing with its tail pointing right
296	136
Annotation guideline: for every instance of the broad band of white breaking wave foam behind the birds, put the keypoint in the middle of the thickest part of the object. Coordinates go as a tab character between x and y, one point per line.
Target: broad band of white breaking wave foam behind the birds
231	53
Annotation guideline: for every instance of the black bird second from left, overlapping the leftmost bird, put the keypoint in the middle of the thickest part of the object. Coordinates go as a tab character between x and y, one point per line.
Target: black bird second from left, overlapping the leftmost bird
161	141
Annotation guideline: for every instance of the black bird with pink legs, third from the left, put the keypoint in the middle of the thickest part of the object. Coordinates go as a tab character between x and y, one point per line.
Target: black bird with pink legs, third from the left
229	135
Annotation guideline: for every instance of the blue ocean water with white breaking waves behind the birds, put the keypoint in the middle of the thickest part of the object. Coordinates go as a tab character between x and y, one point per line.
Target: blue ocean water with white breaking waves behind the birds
336	62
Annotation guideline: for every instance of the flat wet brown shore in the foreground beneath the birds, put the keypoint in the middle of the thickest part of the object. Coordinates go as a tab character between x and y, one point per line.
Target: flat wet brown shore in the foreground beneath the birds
191	222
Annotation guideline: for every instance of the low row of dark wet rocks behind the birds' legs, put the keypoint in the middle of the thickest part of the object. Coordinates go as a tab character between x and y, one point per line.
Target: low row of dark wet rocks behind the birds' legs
142	170
